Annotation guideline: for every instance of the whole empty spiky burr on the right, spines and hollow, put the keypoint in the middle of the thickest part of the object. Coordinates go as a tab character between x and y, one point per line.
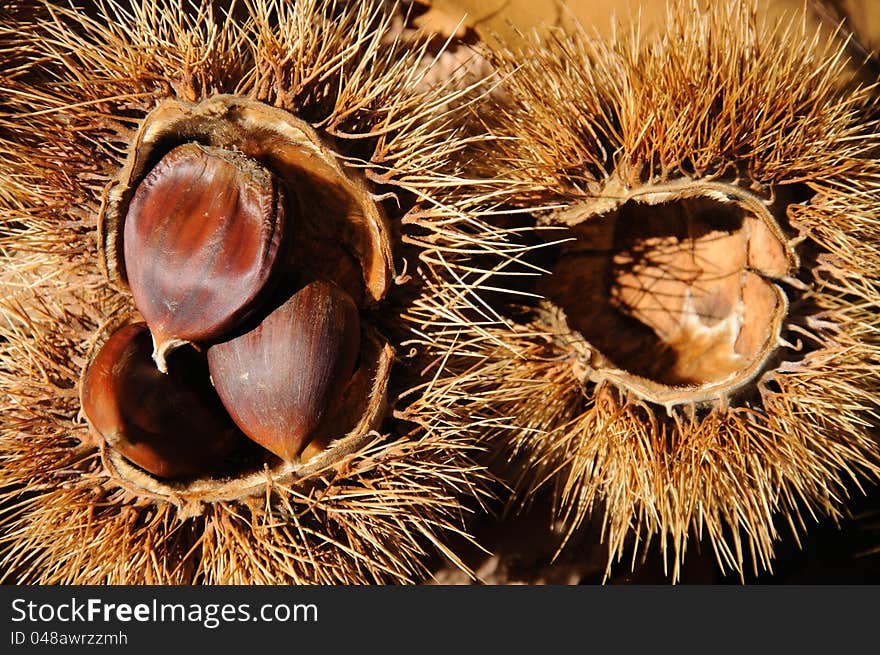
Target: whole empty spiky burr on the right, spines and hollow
694	358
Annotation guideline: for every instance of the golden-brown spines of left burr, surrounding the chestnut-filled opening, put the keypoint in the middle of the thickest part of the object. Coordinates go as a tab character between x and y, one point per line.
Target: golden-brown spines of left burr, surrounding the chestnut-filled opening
76	83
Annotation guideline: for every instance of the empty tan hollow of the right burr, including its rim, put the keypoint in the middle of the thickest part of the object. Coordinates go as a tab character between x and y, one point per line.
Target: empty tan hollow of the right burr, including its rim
713	302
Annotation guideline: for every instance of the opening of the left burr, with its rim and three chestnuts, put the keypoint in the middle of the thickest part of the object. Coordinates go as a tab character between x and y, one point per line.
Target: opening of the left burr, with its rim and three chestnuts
238	232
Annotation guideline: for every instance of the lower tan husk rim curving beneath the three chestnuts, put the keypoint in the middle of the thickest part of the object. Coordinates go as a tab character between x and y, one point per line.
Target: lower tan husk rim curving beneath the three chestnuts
364	406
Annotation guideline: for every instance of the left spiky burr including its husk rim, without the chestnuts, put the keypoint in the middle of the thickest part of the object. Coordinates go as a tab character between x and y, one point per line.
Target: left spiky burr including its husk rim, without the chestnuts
88	89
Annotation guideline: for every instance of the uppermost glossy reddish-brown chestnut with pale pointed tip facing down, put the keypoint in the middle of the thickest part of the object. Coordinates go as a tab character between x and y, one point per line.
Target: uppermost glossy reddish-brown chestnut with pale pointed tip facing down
202	242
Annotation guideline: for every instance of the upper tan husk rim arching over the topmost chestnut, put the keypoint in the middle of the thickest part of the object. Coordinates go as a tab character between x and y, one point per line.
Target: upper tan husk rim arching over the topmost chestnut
334	204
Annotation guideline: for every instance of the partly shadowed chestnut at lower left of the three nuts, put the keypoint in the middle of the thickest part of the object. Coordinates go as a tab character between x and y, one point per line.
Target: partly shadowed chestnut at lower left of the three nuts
172	425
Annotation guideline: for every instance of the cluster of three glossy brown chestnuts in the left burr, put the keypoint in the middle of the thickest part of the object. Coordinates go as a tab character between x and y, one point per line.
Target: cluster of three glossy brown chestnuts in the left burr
207	261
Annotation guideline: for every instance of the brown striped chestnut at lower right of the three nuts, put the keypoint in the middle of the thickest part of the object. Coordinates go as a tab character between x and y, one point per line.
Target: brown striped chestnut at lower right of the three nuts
282	378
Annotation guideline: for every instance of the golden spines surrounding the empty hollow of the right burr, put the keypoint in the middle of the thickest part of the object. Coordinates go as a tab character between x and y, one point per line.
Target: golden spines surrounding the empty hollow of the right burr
719	95
